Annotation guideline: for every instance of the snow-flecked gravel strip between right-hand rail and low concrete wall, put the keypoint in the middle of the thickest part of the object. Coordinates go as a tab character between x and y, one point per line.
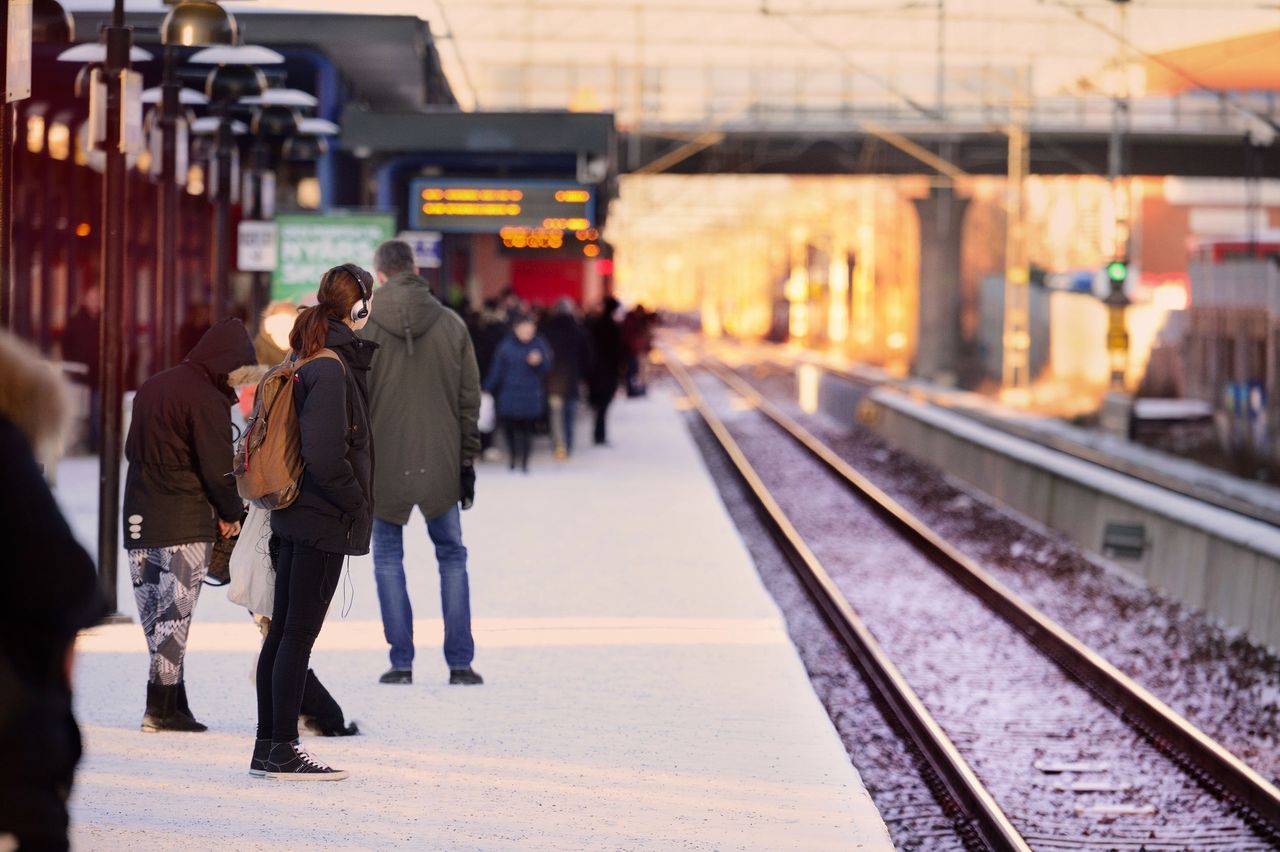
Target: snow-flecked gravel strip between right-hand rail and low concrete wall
1227	686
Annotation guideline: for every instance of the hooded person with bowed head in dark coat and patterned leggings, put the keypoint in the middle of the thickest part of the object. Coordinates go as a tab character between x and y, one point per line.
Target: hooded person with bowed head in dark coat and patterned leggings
179	498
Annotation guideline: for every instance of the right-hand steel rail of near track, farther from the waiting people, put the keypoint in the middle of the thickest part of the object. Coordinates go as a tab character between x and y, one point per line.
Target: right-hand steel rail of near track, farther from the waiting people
1199	753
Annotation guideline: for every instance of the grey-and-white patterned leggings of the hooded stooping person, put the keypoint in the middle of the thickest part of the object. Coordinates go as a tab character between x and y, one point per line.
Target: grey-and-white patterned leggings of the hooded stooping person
167	585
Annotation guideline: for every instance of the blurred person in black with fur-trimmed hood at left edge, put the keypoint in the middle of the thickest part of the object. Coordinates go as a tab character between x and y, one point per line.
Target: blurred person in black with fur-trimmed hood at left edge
51	594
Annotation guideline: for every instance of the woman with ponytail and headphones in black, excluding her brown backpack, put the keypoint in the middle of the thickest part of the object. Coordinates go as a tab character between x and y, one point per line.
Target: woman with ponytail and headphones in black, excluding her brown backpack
332	517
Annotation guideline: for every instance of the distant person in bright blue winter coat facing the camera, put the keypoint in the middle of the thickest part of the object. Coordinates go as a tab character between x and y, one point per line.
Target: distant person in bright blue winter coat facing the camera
516	384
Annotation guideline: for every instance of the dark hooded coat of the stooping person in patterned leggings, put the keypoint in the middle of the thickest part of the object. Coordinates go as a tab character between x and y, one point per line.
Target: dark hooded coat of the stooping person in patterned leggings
180	446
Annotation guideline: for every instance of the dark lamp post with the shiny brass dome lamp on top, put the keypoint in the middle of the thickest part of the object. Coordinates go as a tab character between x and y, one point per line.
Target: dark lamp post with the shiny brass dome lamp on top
190	24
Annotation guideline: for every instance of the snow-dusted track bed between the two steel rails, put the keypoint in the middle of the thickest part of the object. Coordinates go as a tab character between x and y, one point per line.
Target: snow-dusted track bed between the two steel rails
1000	700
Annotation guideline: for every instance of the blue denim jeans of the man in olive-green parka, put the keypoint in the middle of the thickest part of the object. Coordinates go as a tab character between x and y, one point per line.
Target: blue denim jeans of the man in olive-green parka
446	533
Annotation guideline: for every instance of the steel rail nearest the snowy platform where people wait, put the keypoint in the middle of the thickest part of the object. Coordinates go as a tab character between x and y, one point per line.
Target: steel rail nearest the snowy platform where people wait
980	813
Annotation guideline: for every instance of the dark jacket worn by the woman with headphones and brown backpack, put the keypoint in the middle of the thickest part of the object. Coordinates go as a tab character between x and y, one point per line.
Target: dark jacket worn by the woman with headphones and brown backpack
335	511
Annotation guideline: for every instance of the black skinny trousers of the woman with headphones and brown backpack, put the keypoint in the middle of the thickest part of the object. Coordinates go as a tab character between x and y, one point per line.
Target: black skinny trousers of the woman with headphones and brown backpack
305	583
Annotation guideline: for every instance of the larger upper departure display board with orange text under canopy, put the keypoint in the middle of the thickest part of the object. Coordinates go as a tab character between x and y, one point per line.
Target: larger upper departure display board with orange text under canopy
463	207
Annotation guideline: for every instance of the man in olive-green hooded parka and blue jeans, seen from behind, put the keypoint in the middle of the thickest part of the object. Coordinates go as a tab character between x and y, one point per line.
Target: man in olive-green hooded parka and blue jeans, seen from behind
426	402
